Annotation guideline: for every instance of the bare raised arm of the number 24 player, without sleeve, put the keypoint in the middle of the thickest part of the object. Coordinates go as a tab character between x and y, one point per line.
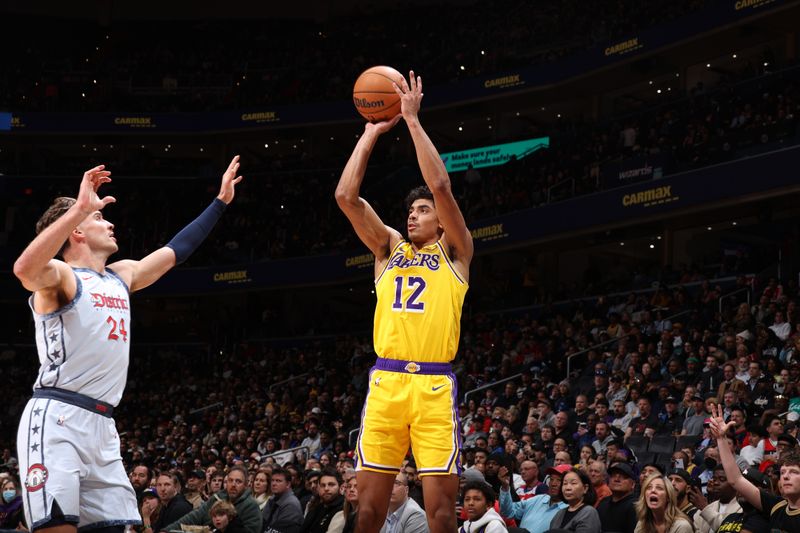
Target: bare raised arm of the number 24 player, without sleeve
36	267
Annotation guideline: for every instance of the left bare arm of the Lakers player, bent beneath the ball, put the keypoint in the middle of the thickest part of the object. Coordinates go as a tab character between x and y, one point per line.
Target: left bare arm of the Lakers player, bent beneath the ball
378	237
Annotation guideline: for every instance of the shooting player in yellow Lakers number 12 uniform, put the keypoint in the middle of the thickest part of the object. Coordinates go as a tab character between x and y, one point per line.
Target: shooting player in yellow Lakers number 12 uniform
420	285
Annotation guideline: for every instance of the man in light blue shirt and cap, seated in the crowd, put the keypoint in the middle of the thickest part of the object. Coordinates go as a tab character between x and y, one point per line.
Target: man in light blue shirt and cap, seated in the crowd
534	514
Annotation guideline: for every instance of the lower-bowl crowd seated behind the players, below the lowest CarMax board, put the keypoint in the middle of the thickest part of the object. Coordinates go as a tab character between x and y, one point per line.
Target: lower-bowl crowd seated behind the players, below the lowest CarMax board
264	425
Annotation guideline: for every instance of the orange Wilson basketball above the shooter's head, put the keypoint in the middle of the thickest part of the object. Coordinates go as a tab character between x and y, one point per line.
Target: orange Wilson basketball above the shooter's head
373	94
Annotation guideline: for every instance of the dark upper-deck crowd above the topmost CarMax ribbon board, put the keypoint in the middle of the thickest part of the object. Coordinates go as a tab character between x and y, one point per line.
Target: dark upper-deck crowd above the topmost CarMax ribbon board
181	66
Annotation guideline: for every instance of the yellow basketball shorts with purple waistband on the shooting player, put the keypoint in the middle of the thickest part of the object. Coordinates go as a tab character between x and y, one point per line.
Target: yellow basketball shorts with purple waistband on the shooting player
410	404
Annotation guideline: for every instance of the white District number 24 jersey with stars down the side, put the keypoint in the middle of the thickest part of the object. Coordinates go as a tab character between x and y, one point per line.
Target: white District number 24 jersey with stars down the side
84	347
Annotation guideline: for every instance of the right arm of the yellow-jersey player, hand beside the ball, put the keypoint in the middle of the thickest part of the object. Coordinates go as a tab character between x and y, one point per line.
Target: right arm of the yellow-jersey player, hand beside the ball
434	172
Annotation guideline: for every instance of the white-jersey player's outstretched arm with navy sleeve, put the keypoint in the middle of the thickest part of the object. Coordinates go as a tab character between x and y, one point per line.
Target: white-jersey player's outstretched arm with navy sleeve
145	272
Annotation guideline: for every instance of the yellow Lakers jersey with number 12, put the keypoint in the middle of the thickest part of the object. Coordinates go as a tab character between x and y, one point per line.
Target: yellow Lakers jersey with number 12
418	314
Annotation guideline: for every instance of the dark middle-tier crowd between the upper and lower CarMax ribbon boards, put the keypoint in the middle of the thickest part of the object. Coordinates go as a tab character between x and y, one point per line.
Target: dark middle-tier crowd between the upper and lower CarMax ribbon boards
294	195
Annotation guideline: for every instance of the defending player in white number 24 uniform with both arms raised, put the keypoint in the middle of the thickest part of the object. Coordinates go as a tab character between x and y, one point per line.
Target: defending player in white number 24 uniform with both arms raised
67	442
